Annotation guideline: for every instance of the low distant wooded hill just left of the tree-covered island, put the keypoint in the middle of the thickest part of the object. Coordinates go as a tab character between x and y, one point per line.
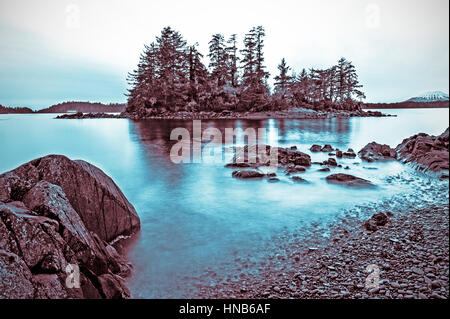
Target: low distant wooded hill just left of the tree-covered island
85	107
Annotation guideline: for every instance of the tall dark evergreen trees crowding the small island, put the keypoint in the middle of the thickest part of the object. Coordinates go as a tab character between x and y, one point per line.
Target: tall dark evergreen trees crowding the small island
171	76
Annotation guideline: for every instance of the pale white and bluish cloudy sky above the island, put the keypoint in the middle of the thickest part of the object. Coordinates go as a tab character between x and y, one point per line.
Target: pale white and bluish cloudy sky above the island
82	50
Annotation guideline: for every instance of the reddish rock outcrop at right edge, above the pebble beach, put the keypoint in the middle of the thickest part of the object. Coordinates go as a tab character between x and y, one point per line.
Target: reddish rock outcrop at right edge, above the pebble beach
429	153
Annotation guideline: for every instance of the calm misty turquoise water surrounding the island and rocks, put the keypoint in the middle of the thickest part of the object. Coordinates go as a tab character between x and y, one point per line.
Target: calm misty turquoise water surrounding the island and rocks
199	225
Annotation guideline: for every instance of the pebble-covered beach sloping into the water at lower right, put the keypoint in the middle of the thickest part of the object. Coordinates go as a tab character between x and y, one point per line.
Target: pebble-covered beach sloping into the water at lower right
411	253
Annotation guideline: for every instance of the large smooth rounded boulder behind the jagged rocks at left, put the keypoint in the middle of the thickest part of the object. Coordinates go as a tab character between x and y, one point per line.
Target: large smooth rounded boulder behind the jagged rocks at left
93	195
